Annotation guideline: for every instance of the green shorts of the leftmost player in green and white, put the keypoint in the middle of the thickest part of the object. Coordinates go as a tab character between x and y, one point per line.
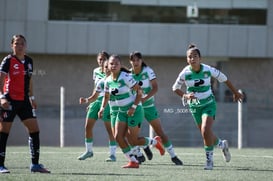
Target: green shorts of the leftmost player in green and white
94	108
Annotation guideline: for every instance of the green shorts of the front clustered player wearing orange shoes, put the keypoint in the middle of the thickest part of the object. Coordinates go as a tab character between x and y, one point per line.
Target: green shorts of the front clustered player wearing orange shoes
134	120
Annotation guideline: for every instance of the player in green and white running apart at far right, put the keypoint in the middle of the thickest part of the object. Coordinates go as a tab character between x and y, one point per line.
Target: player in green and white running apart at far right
199	96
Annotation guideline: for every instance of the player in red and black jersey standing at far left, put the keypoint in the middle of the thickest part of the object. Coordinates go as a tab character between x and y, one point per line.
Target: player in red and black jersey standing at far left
17	98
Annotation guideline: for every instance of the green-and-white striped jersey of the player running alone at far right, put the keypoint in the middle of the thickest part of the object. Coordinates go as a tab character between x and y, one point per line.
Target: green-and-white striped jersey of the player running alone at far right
199	82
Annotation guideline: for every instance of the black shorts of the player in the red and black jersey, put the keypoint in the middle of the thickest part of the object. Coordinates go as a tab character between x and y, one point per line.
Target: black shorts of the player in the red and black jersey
21	108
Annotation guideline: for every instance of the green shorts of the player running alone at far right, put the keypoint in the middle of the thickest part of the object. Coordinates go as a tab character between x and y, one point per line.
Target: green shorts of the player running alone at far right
207	109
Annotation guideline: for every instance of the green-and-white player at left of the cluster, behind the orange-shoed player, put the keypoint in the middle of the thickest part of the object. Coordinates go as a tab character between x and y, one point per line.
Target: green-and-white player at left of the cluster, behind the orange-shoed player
94	102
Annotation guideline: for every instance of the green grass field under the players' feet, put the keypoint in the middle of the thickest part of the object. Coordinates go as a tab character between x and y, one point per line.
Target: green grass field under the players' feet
246	164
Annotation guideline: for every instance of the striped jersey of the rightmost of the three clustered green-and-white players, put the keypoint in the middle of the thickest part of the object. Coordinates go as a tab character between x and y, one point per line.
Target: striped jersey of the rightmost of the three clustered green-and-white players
144	78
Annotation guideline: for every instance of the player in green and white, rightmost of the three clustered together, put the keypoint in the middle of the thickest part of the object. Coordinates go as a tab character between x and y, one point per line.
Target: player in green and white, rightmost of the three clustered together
147	80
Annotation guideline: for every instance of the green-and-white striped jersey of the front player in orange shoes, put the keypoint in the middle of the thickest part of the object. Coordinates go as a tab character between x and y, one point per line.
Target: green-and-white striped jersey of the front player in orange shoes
120	90
